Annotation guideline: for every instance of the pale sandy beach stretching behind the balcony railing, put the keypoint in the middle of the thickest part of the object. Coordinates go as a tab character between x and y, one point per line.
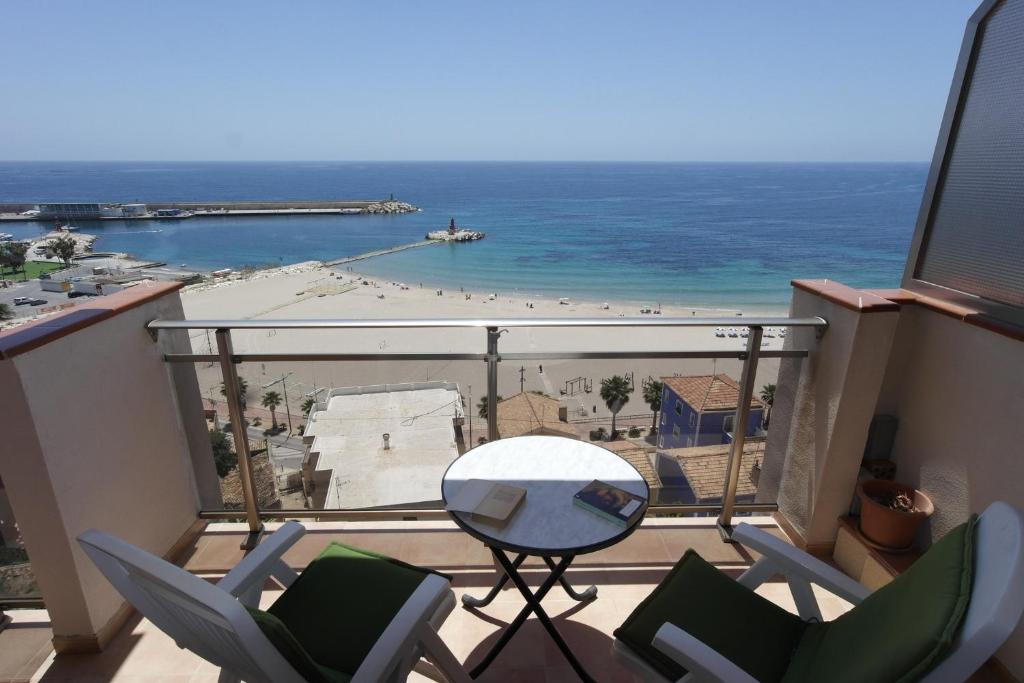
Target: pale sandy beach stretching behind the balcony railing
314	292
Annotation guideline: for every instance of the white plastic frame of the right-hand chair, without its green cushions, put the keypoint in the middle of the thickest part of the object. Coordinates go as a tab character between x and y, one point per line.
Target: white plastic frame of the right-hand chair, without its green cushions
995	610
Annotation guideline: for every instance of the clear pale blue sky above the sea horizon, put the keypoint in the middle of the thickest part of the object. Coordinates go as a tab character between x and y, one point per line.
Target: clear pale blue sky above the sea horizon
744	80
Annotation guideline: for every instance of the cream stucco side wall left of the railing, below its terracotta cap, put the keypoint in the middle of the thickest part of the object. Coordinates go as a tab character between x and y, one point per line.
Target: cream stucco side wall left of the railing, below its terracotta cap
97	441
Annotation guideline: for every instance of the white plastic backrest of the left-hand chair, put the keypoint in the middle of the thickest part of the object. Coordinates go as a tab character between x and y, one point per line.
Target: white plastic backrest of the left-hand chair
198	616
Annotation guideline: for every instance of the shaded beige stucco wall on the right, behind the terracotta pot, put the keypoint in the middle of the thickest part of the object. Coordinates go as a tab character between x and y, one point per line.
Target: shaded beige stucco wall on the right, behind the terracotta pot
959	394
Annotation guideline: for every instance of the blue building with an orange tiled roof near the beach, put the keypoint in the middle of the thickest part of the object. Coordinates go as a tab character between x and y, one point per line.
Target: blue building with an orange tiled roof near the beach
701	411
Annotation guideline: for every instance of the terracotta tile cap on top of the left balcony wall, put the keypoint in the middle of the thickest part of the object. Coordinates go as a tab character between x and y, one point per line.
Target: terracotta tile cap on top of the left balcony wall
18	340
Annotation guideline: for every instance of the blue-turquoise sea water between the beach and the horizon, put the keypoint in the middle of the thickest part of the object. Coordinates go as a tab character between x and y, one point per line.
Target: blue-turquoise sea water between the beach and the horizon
726	235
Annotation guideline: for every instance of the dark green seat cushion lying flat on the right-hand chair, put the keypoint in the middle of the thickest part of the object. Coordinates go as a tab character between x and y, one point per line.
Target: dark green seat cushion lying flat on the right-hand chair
755	634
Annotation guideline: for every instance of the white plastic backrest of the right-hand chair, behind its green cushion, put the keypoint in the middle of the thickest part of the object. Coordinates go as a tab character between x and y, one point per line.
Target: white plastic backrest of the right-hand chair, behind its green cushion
997	596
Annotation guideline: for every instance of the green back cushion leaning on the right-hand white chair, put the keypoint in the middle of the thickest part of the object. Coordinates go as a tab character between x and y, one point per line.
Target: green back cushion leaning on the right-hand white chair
903	630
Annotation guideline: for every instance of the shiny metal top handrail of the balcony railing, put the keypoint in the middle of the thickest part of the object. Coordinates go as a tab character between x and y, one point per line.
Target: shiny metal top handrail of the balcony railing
484	323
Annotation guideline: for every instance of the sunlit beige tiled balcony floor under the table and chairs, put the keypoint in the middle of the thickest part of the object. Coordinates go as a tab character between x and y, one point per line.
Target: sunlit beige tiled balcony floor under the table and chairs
625	575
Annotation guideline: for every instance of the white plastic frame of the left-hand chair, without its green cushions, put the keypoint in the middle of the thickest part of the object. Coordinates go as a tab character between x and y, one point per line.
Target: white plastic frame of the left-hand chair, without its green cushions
210	620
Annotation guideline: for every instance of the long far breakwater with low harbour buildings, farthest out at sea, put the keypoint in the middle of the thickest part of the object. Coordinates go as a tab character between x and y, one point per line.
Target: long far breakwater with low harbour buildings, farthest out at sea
73	211
